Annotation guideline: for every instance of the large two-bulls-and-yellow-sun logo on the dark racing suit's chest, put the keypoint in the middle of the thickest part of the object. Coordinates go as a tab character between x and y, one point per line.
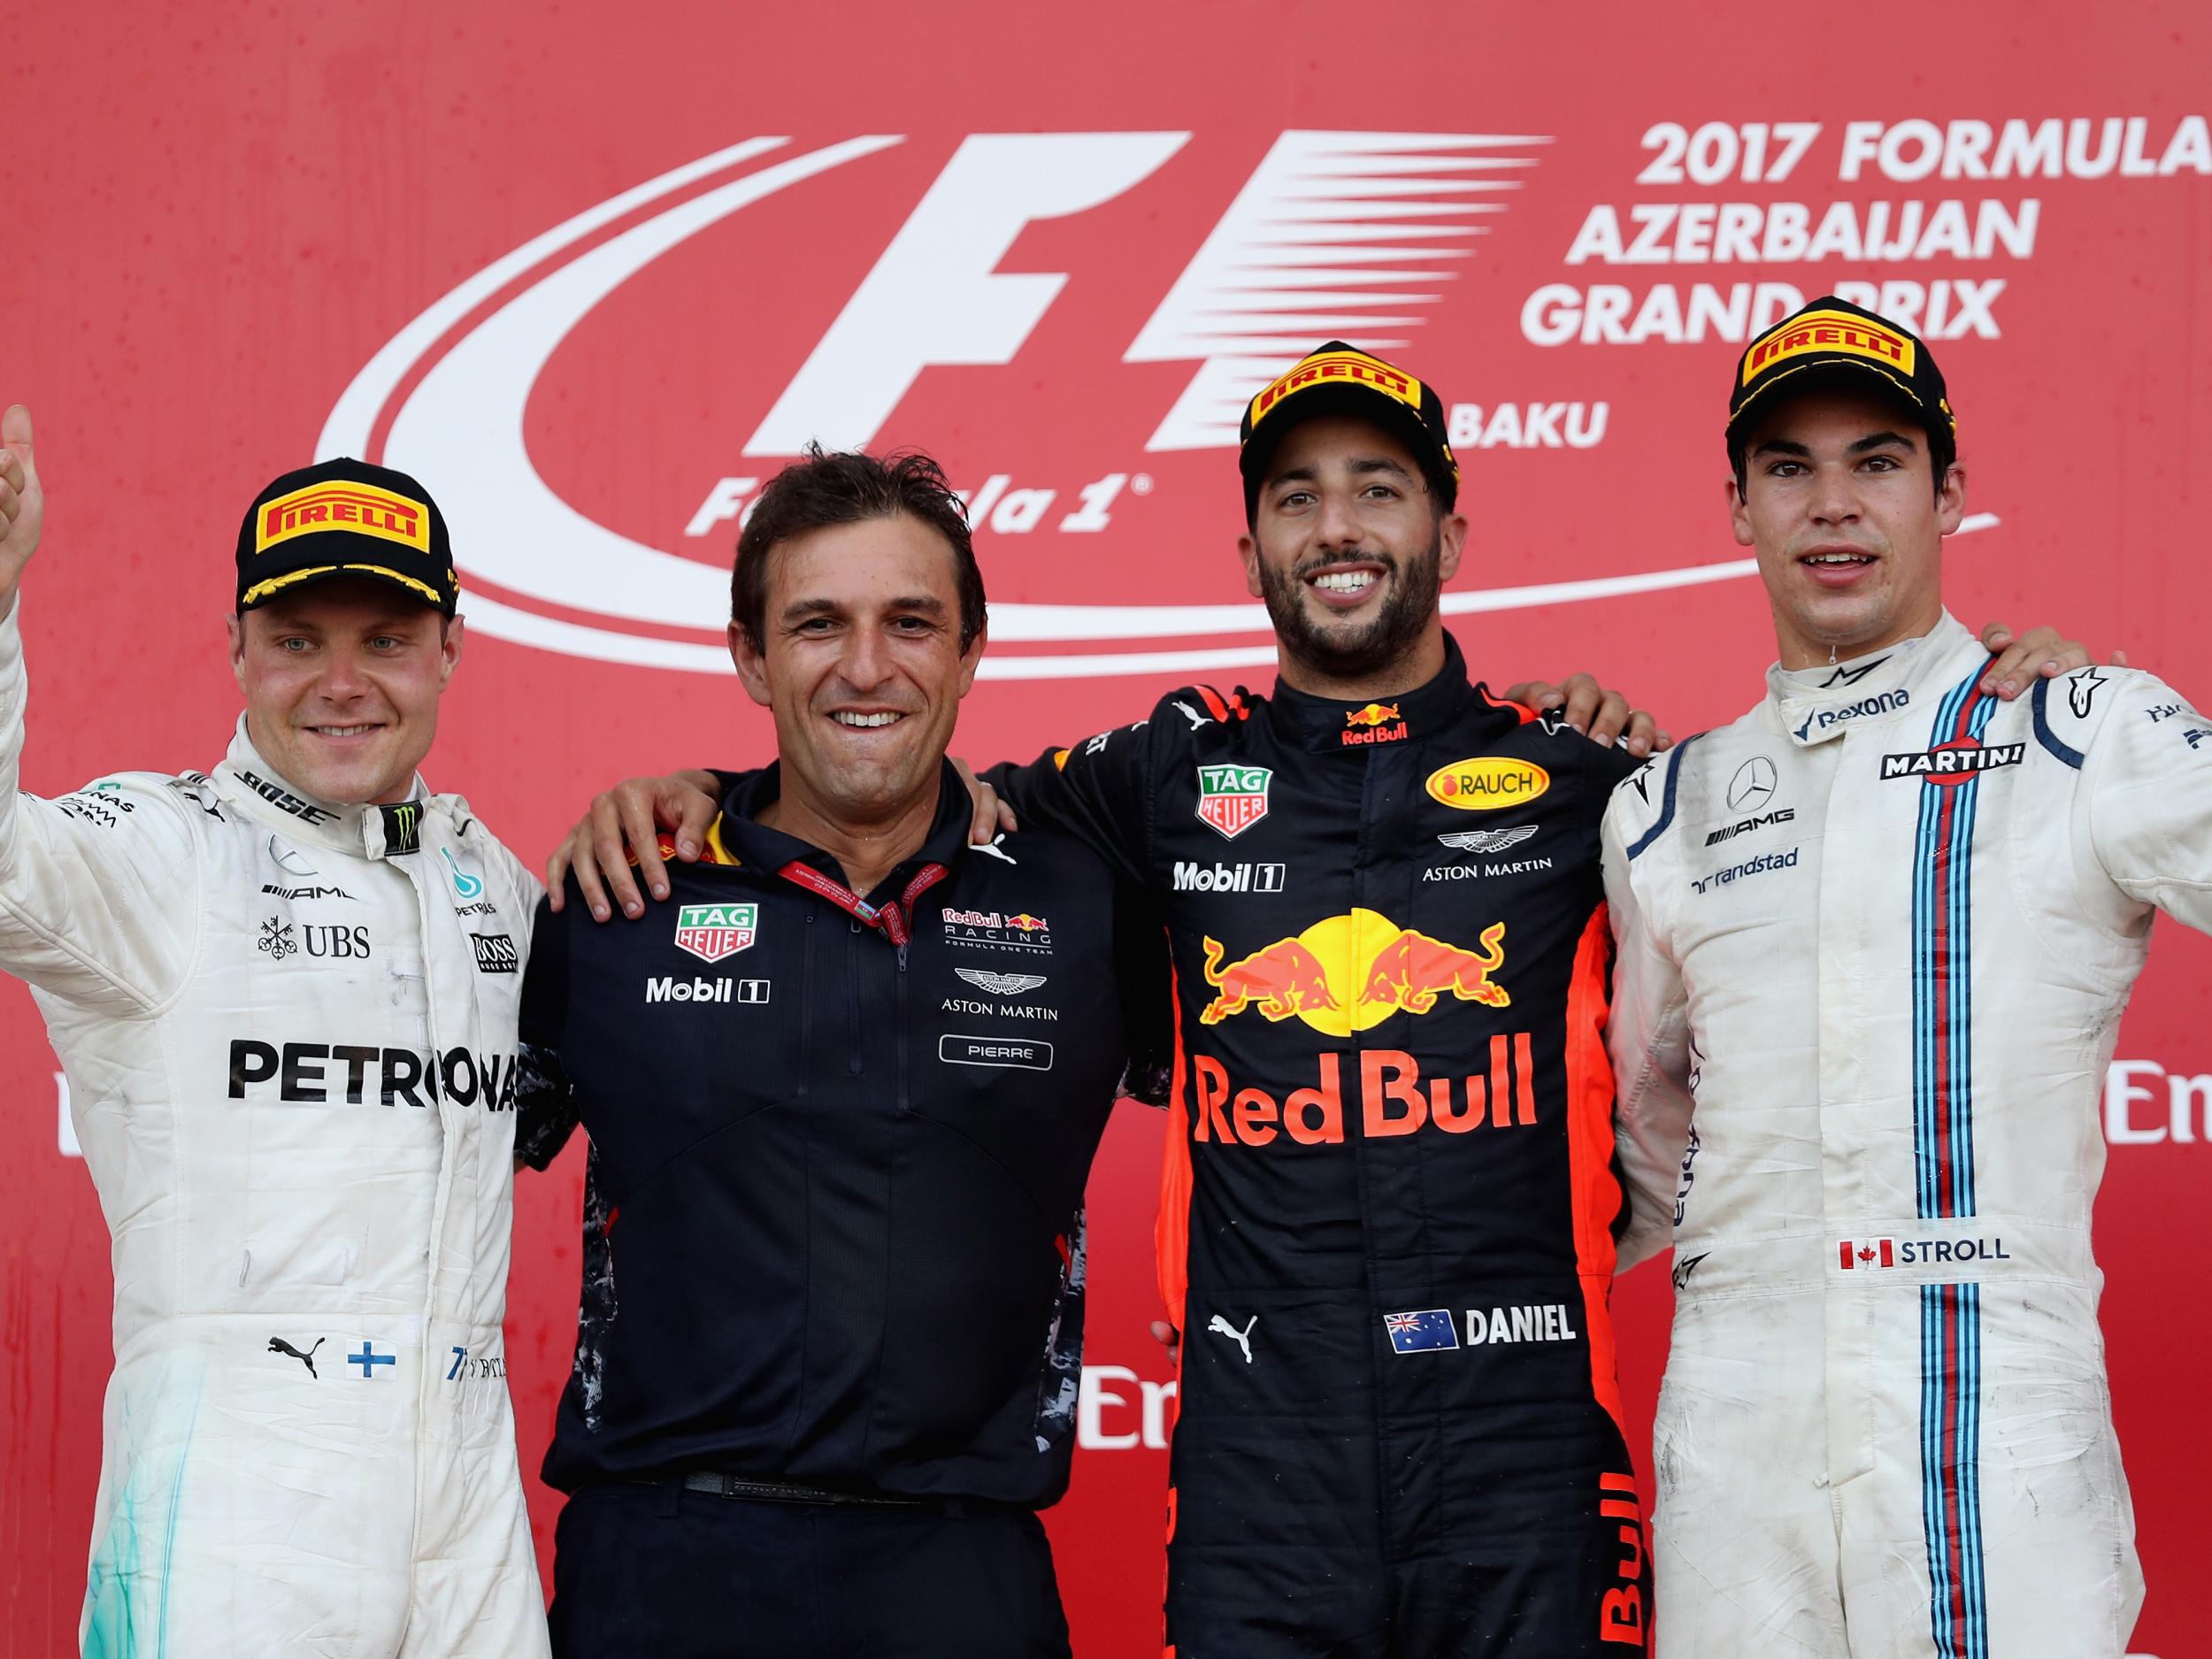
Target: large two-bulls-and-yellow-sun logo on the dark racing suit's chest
1353	972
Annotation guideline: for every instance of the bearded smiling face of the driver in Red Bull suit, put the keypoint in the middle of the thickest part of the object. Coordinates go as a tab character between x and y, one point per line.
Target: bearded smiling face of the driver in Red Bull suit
1350	554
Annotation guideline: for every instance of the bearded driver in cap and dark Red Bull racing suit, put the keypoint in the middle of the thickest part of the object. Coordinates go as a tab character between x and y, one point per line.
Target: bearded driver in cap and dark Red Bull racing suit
1388	1209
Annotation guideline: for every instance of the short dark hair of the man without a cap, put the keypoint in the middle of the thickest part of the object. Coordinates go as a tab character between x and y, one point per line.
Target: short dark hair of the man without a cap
851	488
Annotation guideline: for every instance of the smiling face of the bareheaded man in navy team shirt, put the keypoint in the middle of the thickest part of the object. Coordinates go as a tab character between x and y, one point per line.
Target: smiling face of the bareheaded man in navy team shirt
862	665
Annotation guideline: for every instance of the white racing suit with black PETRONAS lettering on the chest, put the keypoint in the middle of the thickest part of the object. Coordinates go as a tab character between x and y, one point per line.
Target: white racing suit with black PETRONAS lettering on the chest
291	1041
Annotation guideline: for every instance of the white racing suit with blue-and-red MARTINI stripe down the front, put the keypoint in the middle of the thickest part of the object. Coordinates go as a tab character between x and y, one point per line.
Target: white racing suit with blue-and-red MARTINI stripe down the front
1881	932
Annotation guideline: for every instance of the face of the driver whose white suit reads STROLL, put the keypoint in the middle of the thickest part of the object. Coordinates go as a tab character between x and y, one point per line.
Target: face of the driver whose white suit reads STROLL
1844	510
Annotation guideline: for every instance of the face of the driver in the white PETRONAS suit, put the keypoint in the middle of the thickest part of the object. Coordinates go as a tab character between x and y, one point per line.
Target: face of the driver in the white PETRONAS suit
342	687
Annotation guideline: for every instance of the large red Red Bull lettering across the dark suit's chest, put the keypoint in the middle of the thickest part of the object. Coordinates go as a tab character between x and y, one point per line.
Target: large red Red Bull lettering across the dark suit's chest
1392	1100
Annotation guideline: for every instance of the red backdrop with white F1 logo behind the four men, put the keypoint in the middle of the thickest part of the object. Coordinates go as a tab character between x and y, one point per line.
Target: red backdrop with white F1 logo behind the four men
592	280
